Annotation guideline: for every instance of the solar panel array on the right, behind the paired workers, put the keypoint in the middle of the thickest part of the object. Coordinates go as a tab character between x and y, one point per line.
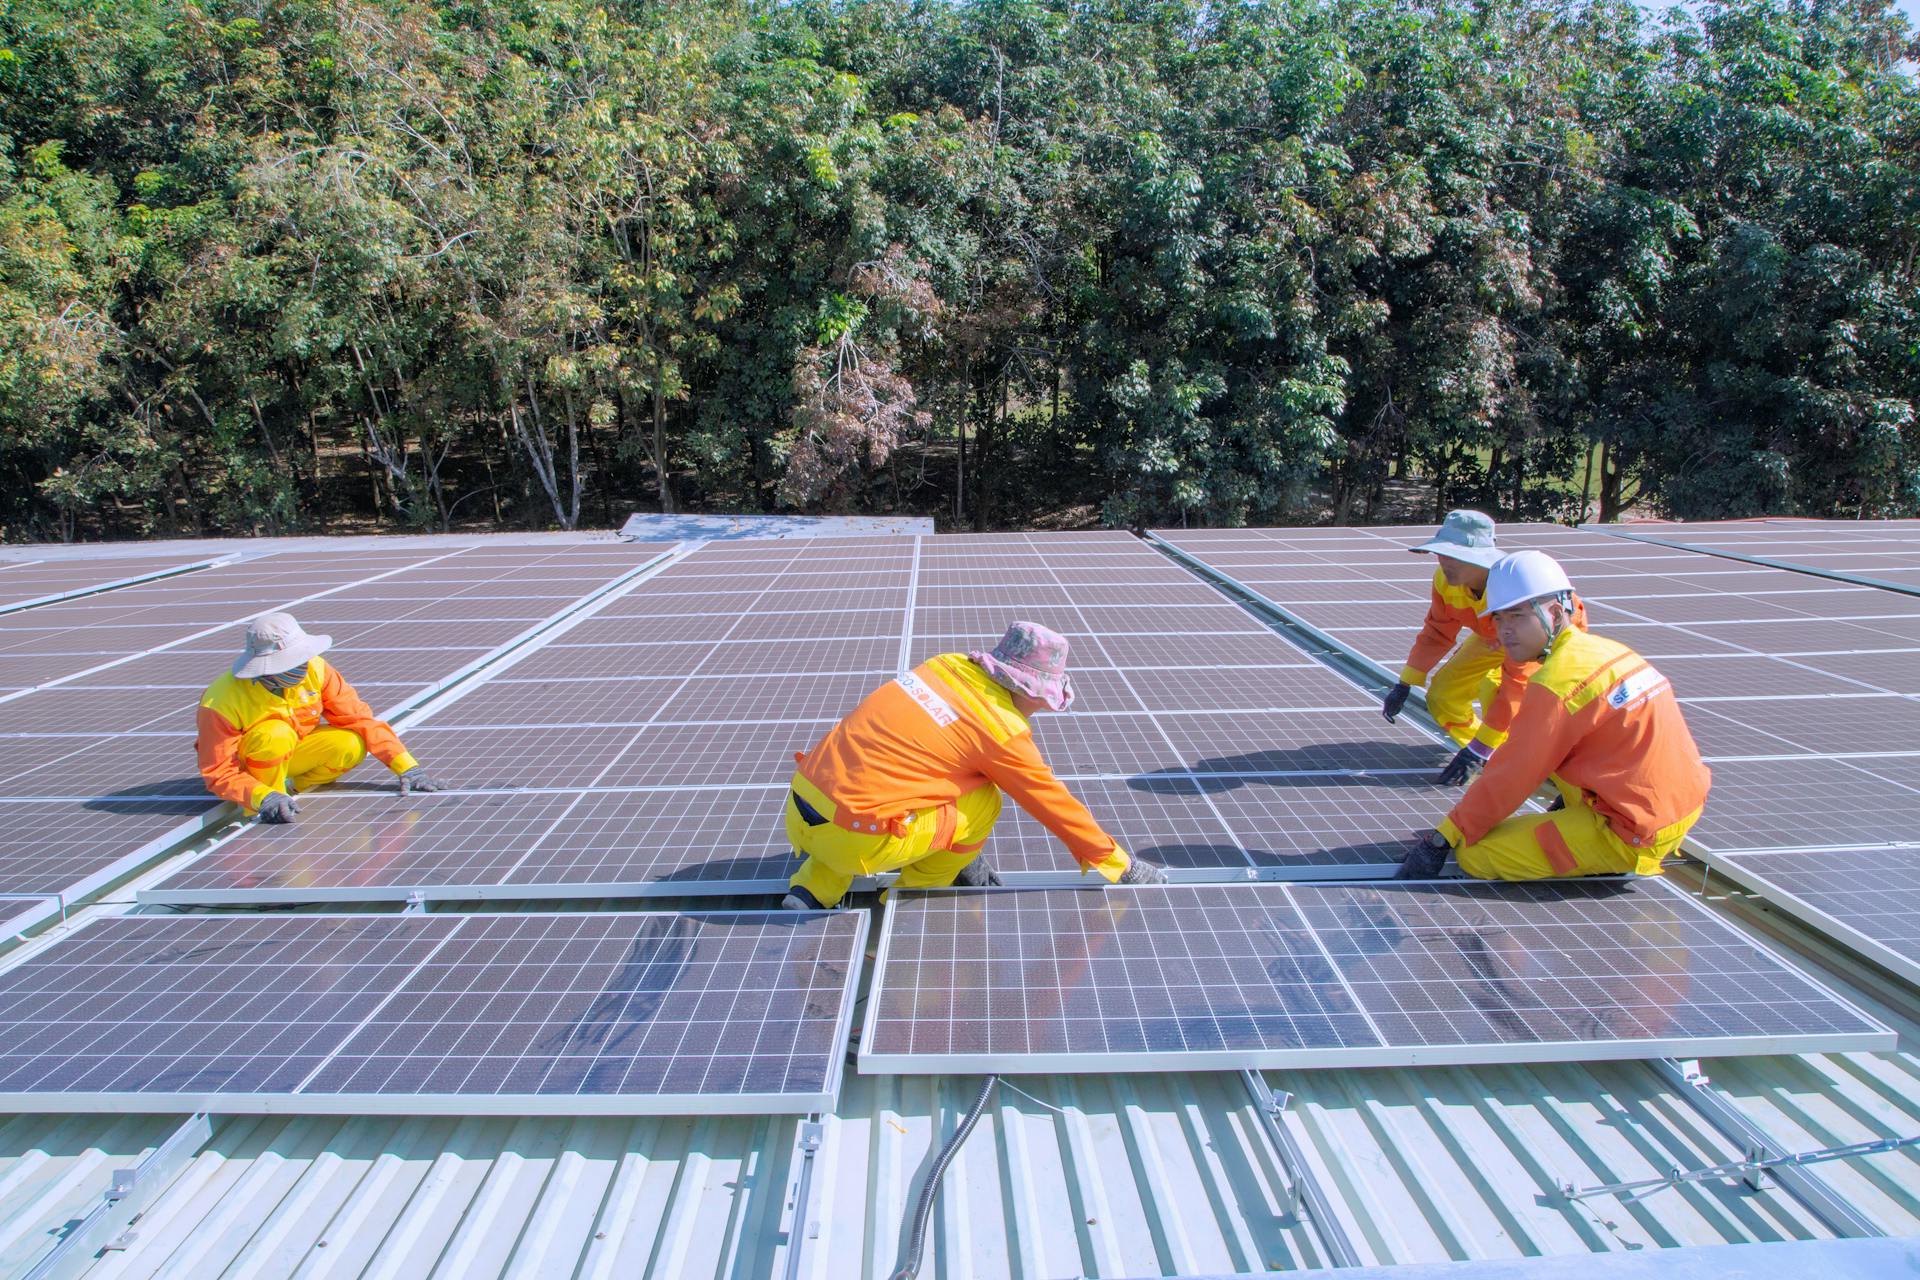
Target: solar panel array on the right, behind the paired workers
1800	690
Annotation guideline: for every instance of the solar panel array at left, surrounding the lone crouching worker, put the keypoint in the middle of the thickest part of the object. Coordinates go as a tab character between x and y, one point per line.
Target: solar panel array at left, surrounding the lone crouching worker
97	753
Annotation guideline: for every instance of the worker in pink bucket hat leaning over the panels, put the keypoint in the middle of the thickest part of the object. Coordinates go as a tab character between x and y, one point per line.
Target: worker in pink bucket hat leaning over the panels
911	782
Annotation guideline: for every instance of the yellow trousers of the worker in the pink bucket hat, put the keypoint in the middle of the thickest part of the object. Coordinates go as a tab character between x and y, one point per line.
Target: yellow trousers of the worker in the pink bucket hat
834	857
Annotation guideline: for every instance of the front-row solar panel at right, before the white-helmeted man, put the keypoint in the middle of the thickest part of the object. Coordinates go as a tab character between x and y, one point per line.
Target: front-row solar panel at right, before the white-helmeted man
1193	978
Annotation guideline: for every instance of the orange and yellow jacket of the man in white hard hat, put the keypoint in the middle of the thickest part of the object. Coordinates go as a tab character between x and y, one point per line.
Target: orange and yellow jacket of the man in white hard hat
1606	721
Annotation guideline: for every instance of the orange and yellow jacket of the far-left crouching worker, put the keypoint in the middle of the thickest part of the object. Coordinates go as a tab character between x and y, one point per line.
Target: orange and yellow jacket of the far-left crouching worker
231	707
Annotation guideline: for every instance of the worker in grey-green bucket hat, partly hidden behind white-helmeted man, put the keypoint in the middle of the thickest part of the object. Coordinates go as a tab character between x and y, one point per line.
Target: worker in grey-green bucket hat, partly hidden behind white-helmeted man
1479	671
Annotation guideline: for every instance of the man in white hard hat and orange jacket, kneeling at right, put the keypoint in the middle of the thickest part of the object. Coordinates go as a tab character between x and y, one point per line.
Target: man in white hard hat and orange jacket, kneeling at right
1598	723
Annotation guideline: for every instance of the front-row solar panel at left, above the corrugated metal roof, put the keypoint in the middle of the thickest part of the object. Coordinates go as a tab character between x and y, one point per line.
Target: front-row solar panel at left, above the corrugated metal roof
613	1014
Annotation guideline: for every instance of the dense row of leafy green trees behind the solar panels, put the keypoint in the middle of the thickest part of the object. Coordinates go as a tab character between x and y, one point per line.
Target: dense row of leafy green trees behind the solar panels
416	262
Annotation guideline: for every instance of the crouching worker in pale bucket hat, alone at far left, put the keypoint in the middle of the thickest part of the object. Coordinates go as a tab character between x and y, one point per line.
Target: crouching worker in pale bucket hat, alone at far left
262	734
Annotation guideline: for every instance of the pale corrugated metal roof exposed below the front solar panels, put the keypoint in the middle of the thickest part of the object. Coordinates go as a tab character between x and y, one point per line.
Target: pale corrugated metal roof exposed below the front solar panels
1072	1177
